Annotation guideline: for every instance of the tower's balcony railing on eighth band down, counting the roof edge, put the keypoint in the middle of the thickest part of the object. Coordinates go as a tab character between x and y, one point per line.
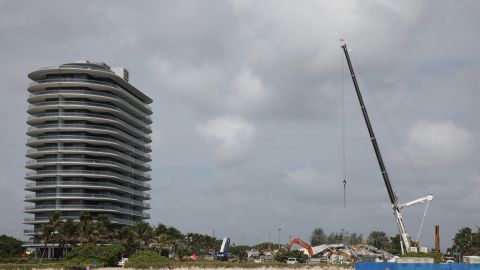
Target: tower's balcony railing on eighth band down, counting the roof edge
75	149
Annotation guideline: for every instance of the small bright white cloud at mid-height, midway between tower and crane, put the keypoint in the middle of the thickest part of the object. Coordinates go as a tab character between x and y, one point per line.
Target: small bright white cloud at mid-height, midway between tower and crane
232	137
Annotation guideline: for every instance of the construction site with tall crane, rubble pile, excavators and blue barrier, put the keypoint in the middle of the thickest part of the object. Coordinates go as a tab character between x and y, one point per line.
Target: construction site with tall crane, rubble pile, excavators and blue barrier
349	254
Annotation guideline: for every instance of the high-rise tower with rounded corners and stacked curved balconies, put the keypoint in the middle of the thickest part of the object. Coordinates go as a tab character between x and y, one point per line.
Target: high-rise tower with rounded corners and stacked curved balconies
88	145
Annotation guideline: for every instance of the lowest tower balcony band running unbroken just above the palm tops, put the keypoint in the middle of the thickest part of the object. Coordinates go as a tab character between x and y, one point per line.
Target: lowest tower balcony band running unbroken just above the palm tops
90	208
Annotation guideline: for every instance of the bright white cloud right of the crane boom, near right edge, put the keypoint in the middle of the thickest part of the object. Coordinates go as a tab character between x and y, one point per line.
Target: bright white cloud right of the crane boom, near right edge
438	143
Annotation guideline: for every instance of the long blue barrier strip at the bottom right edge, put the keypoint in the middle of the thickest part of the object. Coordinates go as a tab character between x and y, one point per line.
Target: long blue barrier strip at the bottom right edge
415	266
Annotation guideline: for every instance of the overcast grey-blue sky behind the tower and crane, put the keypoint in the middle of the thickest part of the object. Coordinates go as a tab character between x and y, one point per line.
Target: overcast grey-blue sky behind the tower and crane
247	132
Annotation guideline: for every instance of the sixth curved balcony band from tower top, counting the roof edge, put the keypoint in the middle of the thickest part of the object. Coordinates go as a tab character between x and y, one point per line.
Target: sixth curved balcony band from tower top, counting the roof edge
41	129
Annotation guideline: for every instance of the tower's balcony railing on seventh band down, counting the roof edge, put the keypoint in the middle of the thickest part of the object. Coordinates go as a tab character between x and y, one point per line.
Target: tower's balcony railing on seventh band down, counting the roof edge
108	141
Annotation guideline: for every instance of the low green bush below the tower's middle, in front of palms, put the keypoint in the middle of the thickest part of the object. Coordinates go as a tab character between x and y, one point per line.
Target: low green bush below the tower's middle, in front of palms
105	255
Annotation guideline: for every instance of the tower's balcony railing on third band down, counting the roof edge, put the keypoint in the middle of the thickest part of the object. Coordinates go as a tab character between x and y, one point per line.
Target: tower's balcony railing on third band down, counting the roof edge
125	105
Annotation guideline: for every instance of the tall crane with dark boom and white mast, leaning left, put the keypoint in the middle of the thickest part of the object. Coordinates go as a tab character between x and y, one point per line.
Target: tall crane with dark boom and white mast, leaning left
396	206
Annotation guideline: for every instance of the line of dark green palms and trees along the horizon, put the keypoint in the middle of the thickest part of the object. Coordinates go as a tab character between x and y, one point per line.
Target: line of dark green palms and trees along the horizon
169	241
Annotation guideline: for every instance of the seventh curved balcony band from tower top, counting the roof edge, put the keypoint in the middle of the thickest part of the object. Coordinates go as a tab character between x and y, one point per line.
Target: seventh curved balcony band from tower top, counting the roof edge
36	141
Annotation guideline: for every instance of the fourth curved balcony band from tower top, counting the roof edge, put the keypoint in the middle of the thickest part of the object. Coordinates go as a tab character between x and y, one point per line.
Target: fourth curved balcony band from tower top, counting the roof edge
38	108
